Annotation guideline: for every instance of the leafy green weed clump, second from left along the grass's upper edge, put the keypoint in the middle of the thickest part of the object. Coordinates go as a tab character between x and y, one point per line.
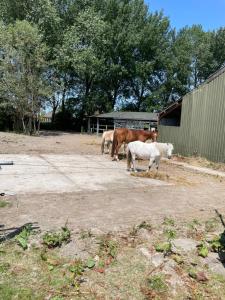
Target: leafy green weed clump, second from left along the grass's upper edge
56	239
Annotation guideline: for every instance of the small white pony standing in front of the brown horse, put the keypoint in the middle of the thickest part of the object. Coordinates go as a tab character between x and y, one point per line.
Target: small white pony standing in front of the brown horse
153	152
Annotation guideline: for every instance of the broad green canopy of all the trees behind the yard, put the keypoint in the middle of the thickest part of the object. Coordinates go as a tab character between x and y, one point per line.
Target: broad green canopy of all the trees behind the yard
83	56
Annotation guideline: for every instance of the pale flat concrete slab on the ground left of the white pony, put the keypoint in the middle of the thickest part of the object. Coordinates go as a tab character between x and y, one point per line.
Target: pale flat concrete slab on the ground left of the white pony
66	173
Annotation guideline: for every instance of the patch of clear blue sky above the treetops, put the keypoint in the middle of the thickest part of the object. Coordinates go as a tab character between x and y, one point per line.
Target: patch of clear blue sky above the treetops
209	13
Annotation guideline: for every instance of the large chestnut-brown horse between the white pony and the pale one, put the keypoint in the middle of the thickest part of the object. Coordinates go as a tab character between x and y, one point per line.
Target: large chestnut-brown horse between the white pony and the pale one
124	135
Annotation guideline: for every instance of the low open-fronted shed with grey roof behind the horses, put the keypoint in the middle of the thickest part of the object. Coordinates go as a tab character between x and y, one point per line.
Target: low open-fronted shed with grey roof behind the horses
116	119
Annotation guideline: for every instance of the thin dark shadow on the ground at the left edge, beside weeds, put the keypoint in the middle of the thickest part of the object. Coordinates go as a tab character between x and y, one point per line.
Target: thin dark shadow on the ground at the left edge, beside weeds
9	233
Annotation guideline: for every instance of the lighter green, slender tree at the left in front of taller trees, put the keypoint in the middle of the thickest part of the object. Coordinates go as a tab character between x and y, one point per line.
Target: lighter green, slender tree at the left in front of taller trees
22	69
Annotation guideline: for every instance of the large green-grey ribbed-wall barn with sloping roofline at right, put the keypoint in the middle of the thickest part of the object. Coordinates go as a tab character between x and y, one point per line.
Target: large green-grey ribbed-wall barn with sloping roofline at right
196	123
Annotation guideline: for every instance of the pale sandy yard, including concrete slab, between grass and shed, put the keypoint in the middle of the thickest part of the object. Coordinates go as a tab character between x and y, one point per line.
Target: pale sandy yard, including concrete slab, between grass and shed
120	201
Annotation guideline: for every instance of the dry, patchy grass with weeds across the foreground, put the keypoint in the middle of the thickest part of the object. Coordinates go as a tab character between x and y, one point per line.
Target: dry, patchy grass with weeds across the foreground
116	269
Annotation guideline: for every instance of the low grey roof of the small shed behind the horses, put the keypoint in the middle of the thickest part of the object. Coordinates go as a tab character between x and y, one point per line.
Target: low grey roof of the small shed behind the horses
129	115
